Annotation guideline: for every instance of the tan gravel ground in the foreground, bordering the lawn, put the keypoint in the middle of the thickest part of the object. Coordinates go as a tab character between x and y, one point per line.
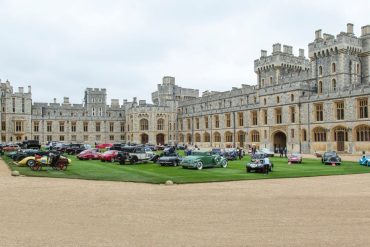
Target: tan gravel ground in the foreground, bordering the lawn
318	211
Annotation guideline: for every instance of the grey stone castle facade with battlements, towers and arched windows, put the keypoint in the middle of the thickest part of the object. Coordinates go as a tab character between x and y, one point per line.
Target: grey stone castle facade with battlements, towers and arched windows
315	104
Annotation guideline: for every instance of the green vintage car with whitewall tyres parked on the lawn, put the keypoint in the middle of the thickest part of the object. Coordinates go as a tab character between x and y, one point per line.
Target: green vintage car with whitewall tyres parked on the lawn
200	159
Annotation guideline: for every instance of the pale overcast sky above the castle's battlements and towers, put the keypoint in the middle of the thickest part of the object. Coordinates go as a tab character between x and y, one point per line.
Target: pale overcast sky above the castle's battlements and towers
61	48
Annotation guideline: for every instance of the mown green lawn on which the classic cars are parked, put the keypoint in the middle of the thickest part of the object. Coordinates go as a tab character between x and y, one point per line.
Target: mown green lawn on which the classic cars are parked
154	173
